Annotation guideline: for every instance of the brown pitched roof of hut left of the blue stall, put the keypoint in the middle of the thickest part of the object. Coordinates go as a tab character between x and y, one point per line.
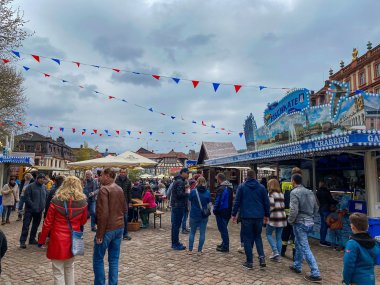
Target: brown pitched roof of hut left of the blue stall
211	150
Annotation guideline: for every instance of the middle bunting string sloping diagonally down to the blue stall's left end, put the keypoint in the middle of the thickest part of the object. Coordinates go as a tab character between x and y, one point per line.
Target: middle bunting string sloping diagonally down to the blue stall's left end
114	98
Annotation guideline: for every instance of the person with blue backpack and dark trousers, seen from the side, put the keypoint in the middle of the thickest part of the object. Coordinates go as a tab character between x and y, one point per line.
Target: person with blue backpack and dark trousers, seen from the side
222	210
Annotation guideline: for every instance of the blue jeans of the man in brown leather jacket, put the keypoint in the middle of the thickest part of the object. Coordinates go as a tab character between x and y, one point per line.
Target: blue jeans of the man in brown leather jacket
111	241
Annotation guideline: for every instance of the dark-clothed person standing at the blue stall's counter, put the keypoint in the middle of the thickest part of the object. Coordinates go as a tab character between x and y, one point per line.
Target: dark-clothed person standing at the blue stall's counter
325	201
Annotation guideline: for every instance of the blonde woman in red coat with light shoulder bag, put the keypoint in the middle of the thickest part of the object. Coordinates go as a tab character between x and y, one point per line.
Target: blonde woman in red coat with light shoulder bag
59	247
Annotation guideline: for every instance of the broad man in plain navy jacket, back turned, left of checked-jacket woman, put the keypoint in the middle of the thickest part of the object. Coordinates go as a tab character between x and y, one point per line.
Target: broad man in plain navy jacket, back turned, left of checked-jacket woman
253	202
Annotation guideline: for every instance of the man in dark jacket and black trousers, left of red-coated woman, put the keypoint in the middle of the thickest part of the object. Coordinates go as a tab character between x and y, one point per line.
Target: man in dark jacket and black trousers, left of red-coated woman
35	199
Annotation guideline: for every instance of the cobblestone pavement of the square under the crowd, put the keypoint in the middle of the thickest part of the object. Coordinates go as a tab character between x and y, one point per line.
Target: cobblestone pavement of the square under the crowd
148	259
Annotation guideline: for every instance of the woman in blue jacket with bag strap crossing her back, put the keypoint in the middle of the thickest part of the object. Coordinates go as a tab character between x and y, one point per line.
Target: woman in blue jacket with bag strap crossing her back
199	199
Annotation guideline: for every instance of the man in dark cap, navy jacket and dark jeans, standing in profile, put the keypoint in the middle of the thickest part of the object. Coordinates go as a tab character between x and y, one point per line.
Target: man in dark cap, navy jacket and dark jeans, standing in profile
178	202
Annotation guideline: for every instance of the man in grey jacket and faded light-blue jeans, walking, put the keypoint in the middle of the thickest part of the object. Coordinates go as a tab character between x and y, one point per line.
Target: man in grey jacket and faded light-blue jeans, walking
303	209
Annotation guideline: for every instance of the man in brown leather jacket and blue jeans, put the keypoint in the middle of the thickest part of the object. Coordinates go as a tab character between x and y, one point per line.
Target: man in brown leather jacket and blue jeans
110	208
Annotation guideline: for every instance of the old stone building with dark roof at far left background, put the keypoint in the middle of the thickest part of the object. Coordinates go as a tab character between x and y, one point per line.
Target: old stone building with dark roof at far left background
49	154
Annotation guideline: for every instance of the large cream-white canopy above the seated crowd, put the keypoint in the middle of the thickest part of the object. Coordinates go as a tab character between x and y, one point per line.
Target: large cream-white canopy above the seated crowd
127	159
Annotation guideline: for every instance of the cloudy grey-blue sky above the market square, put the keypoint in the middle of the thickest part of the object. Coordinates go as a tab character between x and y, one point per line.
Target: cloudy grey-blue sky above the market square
279	43
